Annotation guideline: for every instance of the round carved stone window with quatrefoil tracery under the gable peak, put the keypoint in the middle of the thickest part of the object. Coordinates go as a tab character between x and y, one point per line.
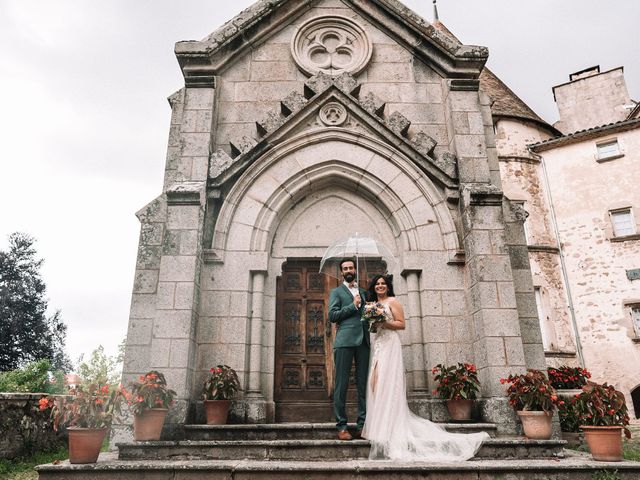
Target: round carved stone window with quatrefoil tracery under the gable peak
332	45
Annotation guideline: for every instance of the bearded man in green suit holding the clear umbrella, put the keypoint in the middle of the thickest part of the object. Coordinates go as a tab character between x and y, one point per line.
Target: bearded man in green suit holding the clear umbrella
346	304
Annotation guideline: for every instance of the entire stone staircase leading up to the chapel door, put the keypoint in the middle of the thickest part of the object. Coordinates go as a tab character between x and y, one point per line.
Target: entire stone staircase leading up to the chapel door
310	451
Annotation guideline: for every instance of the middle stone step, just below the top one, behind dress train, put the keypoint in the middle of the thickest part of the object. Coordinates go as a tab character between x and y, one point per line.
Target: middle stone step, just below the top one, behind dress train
313	450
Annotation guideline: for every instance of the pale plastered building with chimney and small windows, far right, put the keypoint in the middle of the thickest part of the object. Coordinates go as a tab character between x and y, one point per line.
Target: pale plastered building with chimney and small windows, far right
590	173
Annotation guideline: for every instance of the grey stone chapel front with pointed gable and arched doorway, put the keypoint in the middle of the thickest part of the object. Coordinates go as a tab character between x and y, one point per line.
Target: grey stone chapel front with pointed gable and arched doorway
300	122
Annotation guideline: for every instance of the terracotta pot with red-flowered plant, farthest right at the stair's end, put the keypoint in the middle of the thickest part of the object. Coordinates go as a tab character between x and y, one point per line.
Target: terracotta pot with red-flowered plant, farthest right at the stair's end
603	416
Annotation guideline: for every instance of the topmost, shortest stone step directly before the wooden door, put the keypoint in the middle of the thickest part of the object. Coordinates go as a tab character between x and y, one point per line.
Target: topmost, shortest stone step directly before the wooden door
300	431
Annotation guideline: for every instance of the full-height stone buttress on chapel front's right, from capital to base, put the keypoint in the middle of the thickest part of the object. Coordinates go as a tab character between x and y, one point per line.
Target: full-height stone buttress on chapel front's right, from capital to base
497	343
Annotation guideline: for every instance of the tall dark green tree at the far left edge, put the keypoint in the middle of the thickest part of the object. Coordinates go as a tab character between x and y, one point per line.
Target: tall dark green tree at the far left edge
27	334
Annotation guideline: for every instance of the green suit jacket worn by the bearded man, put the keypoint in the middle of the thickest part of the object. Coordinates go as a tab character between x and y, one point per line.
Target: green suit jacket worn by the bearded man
352	331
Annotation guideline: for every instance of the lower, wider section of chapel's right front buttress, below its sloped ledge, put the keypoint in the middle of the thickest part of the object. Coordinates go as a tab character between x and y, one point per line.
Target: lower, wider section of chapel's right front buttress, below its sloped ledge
497	346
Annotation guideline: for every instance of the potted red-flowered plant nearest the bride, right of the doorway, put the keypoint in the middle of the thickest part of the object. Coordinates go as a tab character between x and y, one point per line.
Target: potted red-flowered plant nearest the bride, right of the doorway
458	385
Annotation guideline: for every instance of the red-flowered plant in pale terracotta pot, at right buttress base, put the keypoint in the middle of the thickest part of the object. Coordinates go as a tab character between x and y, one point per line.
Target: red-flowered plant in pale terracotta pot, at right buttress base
534	399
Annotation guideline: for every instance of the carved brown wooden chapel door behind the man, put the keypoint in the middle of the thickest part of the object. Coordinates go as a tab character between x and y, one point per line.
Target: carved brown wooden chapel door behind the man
304	352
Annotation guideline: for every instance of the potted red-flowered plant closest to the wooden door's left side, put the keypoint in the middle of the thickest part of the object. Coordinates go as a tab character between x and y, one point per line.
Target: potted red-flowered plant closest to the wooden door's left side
219	387
